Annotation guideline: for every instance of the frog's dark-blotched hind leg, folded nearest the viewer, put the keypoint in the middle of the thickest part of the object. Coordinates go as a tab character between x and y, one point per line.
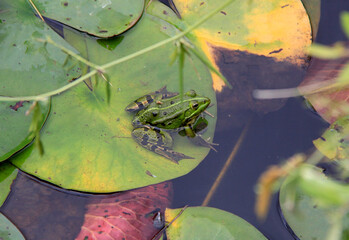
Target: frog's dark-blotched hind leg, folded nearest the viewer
157	141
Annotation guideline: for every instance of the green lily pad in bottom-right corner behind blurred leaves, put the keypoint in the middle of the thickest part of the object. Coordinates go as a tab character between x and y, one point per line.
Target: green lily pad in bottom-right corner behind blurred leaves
309	220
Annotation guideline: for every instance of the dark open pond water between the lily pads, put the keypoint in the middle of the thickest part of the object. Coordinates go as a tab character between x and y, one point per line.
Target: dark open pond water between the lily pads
45	212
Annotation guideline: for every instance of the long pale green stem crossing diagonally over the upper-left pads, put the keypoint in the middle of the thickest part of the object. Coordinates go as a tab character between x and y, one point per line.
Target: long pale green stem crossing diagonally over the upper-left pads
118	61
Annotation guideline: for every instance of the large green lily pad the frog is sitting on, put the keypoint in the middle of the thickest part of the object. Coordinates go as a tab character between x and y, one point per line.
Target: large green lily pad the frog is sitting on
88	143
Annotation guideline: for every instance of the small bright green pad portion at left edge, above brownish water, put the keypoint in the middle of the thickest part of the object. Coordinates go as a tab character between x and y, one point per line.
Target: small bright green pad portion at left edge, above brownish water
8	174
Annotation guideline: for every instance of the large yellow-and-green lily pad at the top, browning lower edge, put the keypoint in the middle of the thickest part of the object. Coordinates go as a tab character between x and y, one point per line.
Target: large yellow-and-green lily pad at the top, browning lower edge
277	29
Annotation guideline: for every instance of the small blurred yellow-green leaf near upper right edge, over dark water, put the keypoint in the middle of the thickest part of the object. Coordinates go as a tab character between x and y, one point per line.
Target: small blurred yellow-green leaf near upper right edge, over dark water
325	52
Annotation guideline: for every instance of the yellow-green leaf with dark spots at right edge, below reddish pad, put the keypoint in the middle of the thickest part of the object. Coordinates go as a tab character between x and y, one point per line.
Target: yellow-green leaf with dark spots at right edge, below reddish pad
334	143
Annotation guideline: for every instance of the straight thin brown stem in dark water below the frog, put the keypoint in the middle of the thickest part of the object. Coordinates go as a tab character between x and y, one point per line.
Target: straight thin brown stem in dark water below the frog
226	166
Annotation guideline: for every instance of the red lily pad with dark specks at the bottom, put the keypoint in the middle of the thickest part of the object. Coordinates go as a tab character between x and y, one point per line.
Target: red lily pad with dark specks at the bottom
126	215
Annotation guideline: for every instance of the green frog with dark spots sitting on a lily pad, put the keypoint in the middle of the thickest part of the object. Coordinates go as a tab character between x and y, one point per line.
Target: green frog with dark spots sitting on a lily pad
161	113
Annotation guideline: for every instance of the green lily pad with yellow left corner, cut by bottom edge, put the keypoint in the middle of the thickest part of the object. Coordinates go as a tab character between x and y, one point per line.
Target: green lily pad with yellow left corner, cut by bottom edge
208	223
